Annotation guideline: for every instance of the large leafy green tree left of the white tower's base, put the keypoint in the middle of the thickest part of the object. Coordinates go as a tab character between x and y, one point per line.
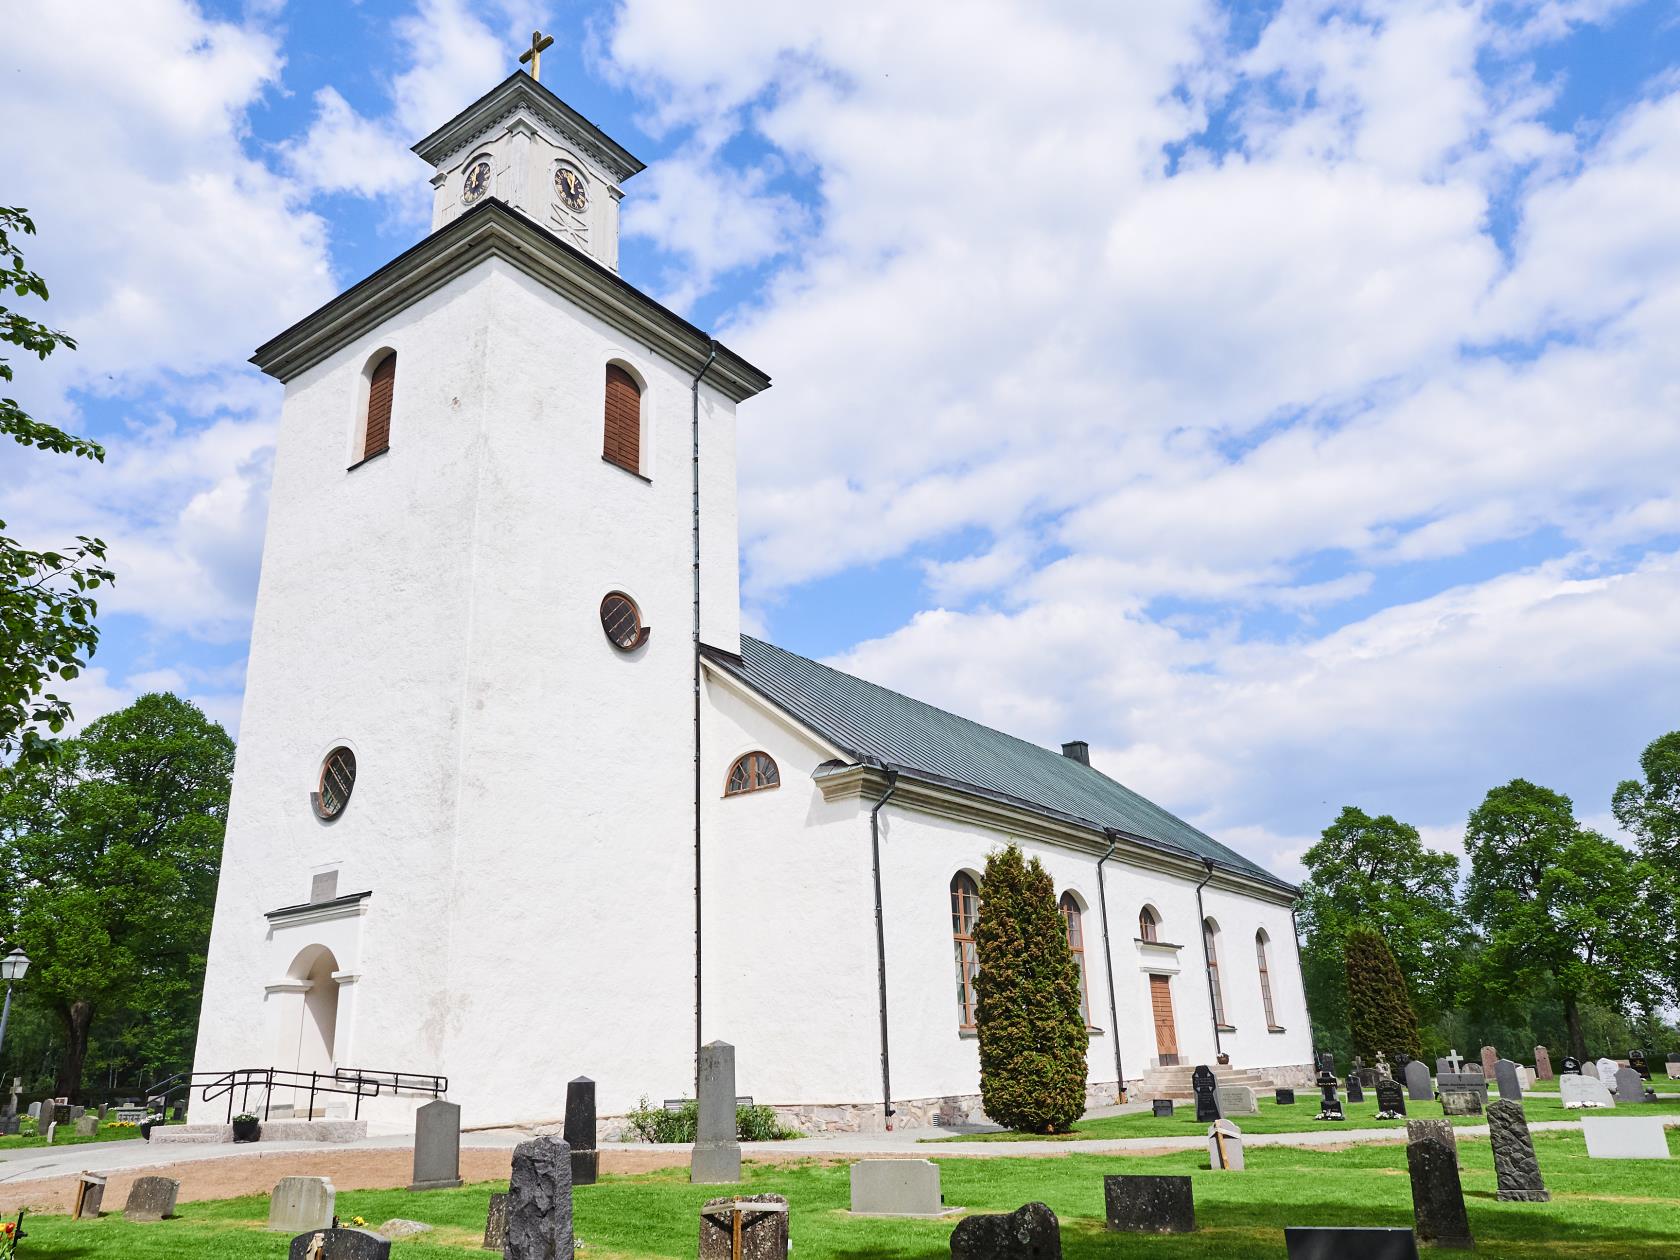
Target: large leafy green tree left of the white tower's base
110	856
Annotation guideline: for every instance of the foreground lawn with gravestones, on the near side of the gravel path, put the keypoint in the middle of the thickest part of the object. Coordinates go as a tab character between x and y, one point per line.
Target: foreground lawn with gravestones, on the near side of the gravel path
1627	1210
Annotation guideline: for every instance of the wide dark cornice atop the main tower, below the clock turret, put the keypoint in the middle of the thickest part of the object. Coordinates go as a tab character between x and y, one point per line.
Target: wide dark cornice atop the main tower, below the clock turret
496	231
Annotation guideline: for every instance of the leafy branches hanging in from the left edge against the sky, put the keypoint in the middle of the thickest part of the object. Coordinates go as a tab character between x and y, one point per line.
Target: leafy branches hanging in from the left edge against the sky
46	597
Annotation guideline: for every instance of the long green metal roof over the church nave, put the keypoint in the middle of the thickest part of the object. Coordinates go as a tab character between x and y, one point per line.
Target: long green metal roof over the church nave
878	725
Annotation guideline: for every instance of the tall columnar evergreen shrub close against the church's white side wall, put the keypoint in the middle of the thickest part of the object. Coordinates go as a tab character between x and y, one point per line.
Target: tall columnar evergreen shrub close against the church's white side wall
1032	1036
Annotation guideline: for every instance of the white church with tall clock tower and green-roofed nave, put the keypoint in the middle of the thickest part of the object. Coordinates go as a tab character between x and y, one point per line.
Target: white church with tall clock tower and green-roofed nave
518	802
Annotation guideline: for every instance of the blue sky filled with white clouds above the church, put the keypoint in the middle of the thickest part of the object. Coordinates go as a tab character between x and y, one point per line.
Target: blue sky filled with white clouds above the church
1279	397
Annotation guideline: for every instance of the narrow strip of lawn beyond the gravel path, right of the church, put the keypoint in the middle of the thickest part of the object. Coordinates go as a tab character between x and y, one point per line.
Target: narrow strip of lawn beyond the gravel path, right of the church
1294	1120
